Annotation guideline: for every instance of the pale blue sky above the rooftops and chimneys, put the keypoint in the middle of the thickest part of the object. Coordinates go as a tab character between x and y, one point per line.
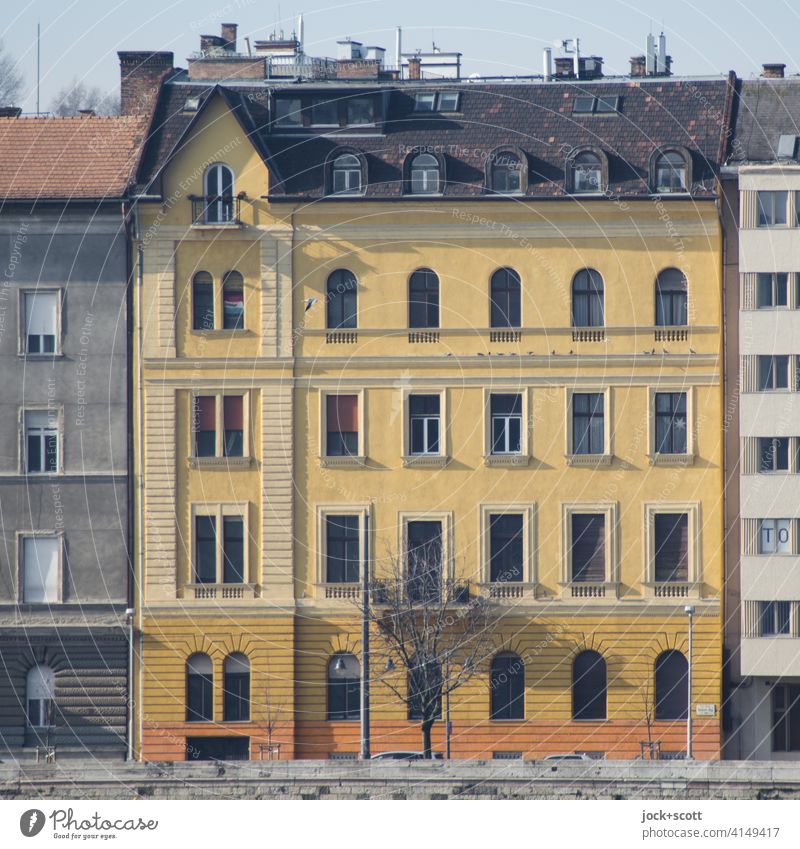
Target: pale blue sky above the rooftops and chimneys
80	37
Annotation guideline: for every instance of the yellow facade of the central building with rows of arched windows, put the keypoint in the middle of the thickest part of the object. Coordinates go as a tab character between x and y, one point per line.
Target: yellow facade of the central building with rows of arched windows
279	406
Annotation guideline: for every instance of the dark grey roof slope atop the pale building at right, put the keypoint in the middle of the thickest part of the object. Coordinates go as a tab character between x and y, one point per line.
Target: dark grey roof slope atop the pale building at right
766	109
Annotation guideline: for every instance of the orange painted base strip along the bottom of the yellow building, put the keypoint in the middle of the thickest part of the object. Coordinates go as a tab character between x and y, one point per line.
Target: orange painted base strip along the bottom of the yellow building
528	739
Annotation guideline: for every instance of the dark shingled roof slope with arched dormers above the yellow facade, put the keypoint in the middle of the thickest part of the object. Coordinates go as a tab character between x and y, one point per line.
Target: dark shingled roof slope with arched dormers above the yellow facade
533	116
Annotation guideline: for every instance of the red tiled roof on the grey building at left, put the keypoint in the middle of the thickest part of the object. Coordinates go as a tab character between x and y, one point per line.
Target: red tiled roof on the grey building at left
82	157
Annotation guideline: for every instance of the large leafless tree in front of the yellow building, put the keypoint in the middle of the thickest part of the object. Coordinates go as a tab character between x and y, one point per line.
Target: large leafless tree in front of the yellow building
432	629
